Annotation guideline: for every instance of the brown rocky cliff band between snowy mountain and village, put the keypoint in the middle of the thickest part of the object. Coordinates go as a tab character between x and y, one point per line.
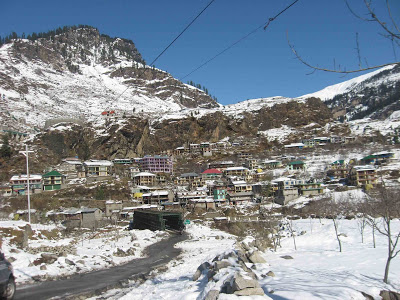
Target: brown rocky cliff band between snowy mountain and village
133	137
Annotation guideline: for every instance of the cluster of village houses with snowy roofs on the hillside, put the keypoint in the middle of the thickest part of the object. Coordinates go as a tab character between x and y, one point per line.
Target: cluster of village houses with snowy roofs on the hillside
154	183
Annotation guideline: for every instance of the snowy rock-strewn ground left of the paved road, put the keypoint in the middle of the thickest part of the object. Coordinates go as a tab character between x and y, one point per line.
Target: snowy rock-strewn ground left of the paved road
91	250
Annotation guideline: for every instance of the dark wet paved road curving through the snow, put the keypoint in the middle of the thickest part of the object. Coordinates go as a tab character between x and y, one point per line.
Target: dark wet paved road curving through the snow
158	254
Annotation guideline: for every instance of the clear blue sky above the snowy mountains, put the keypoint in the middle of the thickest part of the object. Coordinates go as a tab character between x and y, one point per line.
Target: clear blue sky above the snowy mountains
260	66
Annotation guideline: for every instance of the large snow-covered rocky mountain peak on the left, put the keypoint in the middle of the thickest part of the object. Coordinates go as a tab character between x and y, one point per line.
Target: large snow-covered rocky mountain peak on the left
79	73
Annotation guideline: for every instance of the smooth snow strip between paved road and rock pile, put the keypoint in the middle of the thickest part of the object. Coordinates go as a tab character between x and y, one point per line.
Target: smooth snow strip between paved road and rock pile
203	245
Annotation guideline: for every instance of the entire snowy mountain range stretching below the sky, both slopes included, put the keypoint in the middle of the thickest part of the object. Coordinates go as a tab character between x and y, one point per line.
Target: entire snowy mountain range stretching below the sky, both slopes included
78	73
